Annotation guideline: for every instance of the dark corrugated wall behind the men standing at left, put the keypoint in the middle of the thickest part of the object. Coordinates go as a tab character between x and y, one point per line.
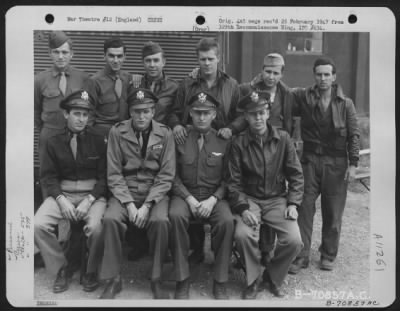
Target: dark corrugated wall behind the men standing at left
179	48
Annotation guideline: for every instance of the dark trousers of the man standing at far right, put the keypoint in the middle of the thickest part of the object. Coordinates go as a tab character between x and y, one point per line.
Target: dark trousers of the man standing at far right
323	175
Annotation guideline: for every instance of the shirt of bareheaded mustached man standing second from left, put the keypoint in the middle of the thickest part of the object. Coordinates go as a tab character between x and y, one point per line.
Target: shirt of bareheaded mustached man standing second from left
109	109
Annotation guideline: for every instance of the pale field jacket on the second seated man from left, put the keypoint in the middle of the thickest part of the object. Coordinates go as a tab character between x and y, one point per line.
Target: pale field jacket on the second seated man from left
129	174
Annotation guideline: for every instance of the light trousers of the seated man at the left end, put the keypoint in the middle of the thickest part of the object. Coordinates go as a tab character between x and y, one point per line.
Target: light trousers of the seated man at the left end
48	217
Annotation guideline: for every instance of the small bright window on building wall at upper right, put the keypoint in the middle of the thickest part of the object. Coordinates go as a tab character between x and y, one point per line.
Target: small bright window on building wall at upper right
304	42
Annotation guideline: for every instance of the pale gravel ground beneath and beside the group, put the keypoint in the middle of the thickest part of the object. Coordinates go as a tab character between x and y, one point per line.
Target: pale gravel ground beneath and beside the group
351	273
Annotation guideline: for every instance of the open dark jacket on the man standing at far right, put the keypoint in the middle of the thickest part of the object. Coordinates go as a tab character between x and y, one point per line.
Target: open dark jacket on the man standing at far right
346	137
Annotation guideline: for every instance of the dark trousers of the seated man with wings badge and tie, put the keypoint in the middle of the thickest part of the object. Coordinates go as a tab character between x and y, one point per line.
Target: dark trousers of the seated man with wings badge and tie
222	227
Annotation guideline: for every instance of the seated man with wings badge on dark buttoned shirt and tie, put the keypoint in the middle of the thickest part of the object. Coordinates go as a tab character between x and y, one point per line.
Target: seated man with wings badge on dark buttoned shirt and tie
198	194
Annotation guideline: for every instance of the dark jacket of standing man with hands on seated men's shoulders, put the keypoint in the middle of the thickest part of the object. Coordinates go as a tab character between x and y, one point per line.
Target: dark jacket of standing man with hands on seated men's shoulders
225	90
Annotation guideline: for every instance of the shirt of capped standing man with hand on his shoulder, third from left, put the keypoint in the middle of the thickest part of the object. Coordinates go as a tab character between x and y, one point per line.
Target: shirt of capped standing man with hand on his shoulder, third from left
165	89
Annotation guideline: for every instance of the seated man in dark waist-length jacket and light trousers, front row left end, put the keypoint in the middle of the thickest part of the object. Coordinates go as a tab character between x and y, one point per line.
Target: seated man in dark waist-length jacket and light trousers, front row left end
74	176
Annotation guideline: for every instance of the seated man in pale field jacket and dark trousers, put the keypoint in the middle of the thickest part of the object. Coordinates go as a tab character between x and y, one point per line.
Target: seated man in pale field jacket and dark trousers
140	169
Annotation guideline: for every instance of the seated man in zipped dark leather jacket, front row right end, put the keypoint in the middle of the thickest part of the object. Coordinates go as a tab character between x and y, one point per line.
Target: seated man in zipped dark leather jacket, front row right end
267	157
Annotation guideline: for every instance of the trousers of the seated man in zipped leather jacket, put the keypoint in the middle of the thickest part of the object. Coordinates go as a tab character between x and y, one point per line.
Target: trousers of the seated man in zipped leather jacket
289	244
